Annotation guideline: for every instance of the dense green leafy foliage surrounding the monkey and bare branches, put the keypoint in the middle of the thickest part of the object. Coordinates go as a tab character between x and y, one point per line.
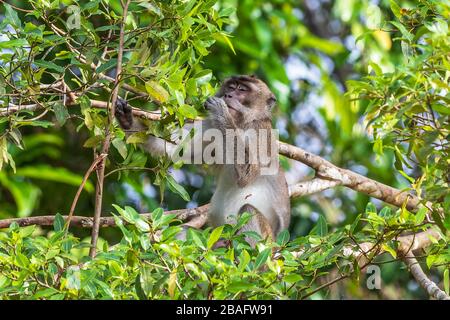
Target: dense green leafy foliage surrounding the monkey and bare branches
175	52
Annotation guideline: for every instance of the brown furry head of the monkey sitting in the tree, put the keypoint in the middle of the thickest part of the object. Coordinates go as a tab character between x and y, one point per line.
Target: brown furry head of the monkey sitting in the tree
249	91
